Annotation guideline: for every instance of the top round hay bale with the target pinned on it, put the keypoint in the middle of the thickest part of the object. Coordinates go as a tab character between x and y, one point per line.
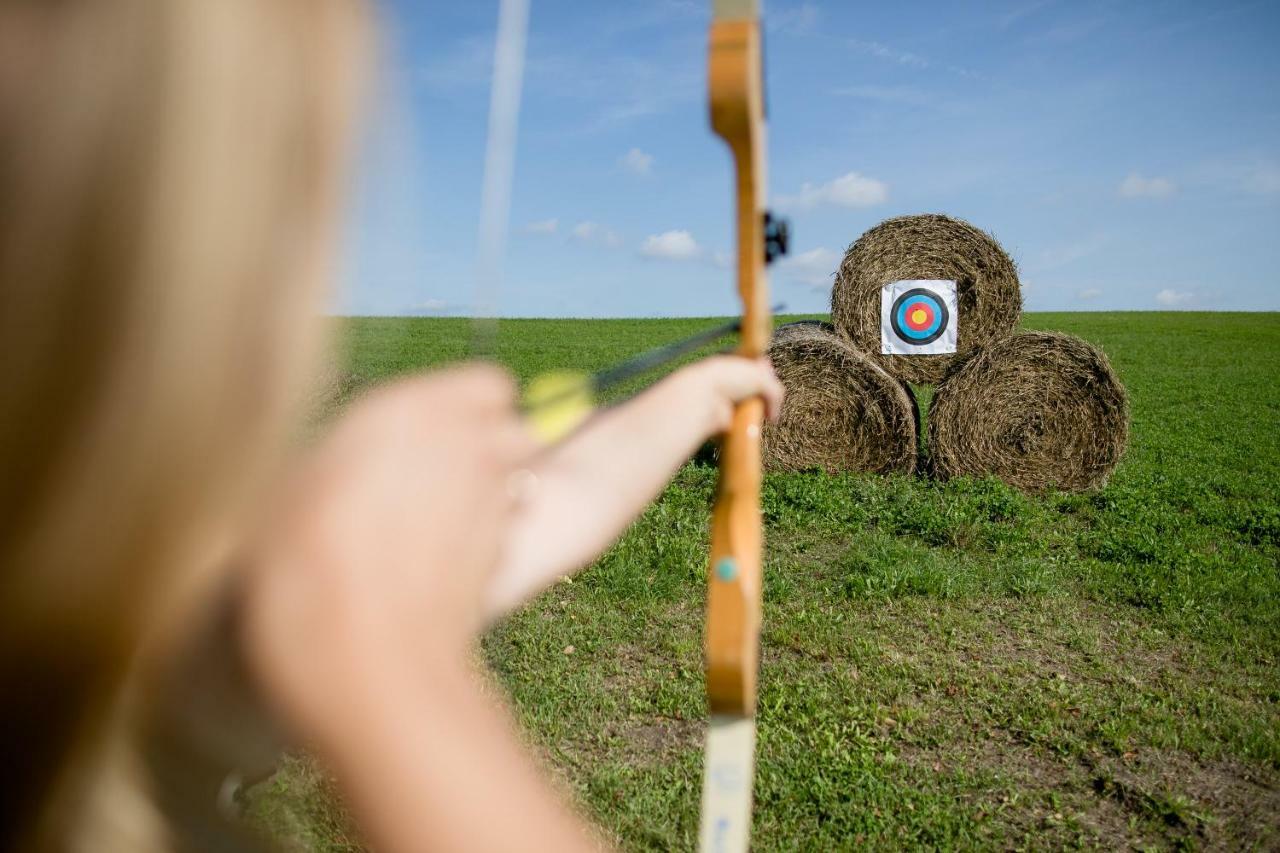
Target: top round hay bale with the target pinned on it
929	247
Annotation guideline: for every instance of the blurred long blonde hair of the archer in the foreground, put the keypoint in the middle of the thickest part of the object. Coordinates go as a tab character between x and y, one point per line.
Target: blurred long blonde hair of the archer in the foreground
170	172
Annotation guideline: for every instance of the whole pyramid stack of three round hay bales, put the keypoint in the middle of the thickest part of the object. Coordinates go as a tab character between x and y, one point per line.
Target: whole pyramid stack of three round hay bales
1037	410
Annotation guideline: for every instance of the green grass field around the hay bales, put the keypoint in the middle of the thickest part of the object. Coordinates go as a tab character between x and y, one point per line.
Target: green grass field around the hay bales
944	665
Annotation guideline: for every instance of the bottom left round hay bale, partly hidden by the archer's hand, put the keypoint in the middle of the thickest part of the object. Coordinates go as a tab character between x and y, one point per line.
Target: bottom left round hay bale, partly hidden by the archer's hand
842	412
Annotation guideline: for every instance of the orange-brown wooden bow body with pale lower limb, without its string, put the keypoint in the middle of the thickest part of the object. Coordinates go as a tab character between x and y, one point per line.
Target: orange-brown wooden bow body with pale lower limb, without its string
734	572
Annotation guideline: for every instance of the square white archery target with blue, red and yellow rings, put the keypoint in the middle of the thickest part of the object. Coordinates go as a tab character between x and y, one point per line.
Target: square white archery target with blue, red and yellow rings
918	318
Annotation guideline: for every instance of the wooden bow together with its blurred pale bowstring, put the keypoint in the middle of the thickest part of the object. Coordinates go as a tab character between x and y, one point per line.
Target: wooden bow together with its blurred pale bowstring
737	90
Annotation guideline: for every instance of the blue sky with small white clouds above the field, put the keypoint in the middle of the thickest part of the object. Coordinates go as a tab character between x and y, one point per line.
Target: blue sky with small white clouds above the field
1126	154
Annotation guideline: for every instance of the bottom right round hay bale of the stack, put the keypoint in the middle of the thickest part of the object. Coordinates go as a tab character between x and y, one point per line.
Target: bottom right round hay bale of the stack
1039	410
